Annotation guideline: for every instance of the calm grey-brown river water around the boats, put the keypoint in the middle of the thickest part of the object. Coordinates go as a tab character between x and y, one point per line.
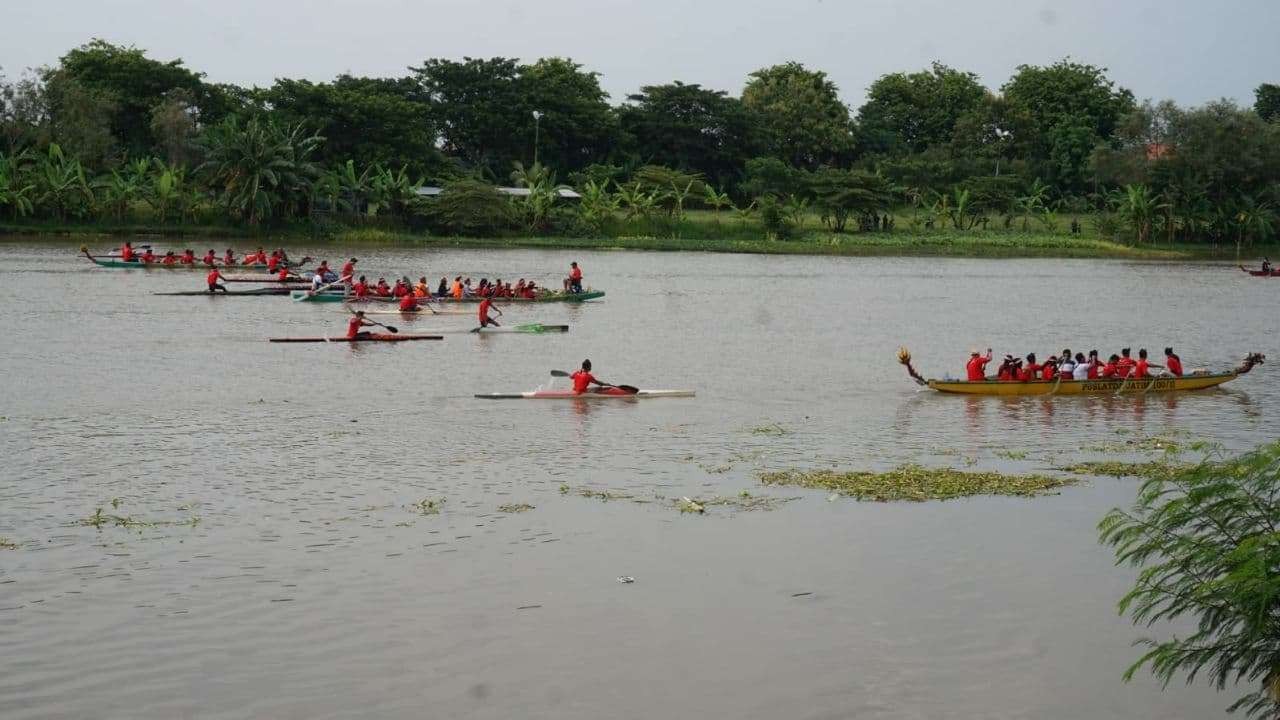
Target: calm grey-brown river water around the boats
284	567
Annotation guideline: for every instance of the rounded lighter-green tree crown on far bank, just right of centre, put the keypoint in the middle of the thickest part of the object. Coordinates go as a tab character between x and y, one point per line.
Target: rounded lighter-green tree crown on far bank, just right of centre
801	115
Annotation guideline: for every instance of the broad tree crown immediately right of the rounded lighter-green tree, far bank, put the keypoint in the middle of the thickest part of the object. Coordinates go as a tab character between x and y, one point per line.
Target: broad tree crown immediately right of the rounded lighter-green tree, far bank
915	111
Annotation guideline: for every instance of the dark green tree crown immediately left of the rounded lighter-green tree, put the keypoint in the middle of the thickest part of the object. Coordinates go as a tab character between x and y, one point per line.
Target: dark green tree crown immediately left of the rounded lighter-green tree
691	129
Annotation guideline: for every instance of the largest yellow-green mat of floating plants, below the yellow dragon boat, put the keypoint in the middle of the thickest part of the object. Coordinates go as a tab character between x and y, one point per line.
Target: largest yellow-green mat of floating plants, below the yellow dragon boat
916	484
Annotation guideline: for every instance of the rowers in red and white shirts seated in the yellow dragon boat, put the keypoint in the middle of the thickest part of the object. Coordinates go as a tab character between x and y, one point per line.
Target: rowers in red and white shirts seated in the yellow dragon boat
1068	367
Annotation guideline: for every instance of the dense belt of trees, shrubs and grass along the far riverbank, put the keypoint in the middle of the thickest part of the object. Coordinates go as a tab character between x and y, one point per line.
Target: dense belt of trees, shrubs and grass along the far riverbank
1058	161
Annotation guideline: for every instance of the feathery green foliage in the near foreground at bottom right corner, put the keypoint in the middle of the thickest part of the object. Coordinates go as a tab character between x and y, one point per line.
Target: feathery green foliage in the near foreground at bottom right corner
1209	550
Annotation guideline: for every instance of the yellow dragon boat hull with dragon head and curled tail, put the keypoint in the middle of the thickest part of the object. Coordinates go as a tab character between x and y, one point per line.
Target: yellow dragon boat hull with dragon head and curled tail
1200	380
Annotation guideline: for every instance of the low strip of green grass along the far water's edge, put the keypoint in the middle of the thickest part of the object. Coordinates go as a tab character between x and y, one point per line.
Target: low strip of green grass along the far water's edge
700	233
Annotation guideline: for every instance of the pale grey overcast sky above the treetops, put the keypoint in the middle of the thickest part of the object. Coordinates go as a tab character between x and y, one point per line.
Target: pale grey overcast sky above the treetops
1188	51
